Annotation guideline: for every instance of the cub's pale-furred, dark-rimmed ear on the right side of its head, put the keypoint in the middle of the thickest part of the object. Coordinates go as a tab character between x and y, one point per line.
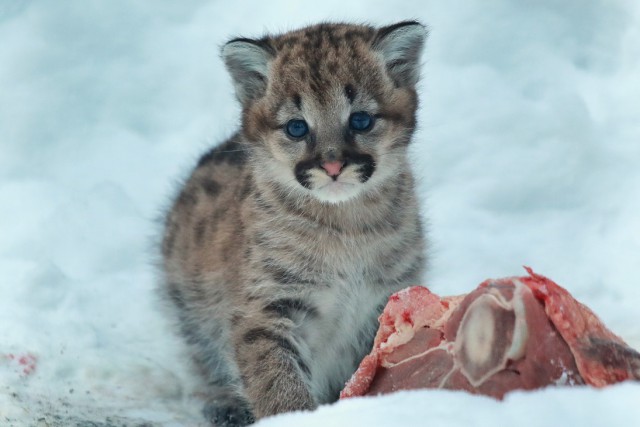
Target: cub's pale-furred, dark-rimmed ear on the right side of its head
401	47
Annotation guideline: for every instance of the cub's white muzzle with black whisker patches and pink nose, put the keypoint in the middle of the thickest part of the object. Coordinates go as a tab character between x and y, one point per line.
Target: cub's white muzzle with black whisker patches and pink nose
337	178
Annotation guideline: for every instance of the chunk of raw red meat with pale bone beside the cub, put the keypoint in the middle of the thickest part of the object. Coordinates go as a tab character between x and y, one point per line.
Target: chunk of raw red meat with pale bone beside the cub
513	333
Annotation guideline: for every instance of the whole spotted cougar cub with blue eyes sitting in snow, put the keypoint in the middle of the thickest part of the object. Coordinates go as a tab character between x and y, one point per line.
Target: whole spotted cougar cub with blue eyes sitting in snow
285	242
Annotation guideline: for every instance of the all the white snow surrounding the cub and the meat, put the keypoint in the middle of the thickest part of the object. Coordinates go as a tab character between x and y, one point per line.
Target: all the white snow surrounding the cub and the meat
528	154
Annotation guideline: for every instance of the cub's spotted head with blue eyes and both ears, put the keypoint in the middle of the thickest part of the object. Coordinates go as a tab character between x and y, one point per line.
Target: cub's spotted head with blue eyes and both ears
329	109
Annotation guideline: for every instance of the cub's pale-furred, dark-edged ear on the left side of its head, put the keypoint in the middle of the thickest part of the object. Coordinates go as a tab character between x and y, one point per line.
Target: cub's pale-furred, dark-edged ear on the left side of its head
248	63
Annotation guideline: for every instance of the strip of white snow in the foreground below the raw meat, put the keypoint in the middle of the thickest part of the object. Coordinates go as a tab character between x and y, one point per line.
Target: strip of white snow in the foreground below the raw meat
616	406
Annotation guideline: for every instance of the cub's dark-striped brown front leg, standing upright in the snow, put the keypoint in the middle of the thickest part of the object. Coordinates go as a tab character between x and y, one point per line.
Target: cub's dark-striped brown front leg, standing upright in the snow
274	373
